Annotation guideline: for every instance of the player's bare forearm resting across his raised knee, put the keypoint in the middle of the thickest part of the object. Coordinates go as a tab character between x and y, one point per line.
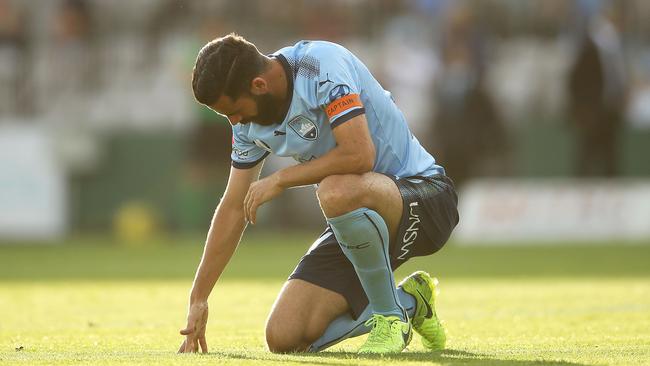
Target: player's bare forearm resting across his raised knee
336	161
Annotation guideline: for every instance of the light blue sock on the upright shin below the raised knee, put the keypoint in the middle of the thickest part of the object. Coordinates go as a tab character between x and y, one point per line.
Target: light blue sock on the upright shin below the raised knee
363	236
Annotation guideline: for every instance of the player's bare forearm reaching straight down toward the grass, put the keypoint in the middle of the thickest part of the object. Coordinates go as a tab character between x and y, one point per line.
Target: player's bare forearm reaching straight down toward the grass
226	230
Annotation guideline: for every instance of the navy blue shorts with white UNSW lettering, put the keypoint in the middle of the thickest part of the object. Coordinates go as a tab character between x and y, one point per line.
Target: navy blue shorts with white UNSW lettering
428	218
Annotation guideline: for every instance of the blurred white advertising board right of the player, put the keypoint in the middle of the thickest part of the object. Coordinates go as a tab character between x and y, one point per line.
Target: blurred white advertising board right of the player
533	211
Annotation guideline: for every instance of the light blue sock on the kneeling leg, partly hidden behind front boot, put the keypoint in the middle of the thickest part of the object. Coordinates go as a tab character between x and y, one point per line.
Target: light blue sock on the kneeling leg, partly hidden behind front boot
345	327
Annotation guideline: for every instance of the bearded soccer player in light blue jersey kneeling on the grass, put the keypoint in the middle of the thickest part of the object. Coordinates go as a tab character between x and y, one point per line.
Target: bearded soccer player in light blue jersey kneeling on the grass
383	196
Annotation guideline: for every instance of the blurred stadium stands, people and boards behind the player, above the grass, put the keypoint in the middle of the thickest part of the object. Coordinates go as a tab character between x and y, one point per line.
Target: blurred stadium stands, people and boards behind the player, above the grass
100	134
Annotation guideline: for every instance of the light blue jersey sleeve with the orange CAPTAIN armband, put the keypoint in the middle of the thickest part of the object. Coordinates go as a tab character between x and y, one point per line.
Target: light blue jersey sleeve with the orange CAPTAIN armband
338	89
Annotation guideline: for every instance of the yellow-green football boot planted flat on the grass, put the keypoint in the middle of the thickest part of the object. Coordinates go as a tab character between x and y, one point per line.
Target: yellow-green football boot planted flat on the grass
389	334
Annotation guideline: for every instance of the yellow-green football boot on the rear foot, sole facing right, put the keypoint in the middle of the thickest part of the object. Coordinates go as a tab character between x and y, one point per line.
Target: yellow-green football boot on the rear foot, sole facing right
425	321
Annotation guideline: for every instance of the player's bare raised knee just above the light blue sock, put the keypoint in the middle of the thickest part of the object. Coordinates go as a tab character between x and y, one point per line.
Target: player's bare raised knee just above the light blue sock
339	194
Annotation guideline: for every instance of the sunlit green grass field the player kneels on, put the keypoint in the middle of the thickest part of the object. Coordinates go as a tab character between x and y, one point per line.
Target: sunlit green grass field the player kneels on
91	302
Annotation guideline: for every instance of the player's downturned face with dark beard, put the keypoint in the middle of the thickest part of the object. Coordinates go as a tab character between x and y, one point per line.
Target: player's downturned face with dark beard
263	109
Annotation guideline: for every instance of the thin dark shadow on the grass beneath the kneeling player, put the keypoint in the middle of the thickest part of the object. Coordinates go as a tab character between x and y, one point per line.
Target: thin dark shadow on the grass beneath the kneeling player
446	357
